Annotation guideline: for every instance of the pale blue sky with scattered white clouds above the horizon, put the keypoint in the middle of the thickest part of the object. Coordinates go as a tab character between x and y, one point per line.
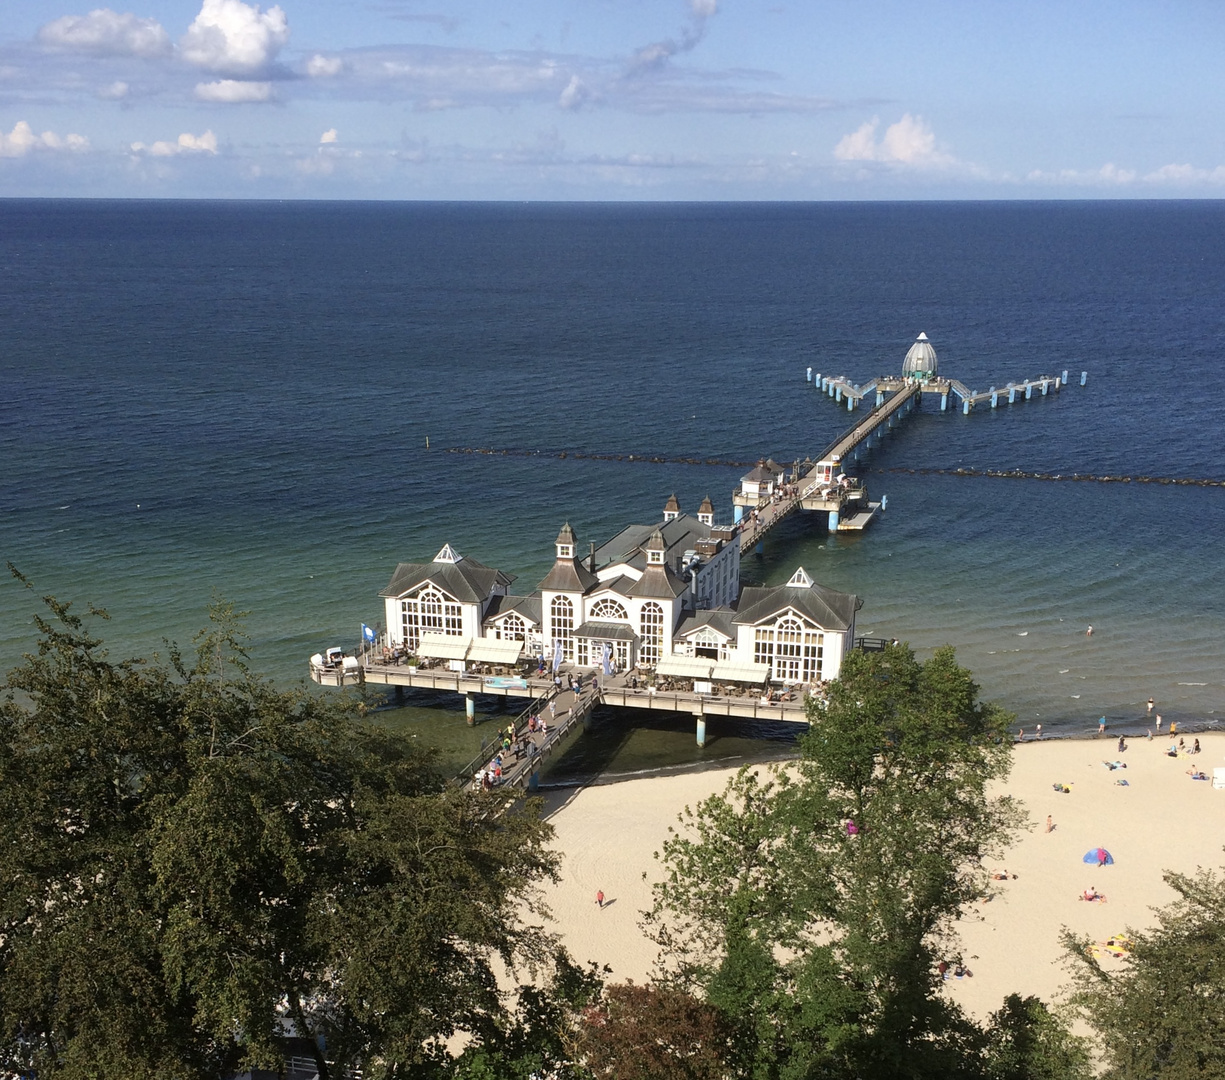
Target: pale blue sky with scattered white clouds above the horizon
614	100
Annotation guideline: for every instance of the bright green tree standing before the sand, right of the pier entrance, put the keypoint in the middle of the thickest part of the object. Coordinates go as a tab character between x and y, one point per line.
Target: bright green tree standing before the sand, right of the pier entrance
813	907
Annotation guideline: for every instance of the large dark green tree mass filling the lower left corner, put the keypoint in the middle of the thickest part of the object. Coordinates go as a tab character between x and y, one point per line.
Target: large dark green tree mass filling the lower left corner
194	859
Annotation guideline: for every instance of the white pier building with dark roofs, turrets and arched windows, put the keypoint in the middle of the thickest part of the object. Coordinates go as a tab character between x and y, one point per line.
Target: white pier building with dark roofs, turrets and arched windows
647	603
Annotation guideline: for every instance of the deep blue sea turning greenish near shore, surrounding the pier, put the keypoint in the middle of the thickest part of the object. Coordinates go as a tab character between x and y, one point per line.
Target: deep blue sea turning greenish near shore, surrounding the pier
274	403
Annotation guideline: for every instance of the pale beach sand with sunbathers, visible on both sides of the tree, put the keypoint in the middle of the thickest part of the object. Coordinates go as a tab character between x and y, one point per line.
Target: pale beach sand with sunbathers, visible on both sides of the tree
1162	820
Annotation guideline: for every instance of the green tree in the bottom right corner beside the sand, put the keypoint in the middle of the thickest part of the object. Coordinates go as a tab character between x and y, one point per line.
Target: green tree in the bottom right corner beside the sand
1162	1013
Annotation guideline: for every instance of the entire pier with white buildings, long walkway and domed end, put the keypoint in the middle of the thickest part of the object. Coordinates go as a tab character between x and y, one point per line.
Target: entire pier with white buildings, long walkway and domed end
660	613
